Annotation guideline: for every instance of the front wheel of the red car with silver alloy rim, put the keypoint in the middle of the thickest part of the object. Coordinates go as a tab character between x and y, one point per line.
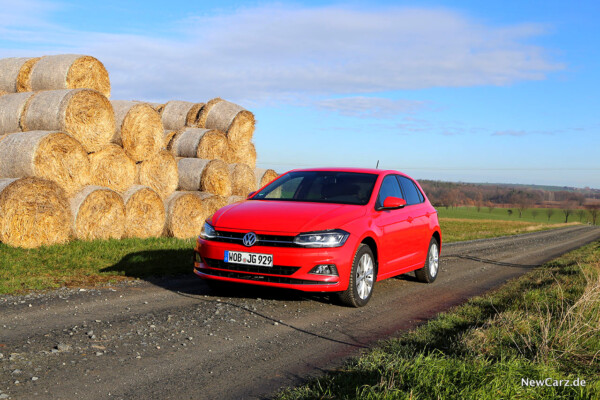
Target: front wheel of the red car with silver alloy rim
362	278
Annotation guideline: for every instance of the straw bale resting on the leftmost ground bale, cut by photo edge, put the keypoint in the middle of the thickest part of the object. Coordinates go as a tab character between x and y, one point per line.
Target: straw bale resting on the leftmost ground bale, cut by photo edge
48	155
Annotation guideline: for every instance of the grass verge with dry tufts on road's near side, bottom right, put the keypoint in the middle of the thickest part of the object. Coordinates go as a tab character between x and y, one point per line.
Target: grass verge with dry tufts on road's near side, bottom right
543	325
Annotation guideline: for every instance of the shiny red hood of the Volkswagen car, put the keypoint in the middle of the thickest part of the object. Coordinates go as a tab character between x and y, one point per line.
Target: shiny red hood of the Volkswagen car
285	216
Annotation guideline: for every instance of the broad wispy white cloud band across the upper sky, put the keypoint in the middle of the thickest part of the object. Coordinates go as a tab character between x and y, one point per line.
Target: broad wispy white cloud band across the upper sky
281	53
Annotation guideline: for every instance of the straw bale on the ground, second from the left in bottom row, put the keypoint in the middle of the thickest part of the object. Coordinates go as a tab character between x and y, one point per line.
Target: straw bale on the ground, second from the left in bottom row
98	213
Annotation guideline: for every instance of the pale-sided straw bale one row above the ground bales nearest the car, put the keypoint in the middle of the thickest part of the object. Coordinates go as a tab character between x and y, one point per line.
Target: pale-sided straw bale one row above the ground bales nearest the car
205	175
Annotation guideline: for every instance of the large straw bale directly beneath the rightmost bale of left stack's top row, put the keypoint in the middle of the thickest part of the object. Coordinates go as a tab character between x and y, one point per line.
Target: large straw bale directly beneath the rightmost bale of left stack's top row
84	114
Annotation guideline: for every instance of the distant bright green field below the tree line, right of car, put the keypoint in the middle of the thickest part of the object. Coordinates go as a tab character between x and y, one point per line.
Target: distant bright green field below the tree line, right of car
540	216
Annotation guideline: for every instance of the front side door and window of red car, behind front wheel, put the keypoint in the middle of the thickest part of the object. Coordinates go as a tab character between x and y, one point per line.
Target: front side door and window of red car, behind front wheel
395	230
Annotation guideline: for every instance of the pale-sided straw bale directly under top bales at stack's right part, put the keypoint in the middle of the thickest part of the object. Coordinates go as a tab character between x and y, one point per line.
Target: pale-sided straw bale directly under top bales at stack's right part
200	143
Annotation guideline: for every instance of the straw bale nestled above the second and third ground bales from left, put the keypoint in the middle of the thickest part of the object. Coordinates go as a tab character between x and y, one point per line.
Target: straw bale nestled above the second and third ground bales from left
111	168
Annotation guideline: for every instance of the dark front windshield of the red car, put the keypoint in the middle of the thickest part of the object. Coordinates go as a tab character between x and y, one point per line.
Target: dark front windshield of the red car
321	187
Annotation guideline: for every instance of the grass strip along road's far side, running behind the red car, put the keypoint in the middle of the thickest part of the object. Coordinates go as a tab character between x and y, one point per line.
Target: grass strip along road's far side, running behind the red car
97	262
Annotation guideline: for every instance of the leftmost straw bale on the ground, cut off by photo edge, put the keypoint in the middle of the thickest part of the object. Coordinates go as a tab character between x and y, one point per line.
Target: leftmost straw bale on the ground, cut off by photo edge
33	212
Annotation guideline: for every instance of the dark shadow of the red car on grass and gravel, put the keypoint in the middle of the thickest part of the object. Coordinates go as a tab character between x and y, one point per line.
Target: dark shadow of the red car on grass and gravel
172	270
